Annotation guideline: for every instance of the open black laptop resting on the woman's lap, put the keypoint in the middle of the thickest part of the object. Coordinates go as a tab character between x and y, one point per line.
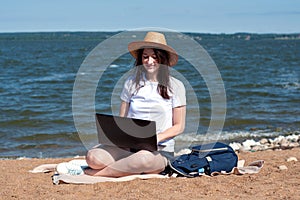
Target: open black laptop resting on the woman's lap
126	132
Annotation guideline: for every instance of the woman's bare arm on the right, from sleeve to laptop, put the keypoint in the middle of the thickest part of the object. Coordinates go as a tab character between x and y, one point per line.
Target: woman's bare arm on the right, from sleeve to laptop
178	124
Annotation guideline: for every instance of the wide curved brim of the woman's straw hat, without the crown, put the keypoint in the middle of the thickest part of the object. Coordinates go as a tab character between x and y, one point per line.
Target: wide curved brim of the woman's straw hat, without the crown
133	48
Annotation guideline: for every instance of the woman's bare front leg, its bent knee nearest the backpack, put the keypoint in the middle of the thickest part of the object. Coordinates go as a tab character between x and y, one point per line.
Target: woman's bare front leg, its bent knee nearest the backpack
137	163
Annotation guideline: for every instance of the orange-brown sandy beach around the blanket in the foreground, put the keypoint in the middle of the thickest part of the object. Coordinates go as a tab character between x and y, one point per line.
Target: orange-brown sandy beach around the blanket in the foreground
270	183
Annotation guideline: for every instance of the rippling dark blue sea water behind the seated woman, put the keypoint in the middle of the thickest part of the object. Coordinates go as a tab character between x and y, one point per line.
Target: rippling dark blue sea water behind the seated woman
259	73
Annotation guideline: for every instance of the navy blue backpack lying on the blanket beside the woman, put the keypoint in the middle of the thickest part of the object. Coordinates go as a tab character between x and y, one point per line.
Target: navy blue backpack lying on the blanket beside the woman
206	158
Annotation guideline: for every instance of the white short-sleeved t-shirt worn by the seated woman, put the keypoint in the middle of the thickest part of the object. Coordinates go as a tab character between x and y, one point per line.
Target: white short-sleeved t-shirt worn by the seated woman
146	103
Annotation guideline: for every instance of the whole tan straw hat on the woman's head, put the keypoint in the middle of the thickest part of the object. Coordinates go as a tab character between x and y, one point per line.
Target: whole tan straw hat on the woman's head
153	40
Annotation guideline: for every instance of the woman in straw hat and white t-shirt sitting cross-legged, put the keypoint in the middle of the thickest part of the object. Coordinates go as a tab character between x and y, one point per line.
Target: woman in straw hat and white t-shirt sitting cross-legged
150	94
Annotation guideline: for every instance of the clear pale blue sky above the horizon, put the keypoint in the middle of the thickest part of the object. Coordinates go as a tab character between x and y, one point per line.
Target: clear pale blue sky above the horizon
202	16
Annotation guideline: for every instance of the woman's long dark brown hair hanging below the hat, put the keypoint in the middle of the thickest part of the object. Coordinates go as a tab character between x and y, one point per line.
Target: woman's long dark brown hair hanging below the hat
163	71
